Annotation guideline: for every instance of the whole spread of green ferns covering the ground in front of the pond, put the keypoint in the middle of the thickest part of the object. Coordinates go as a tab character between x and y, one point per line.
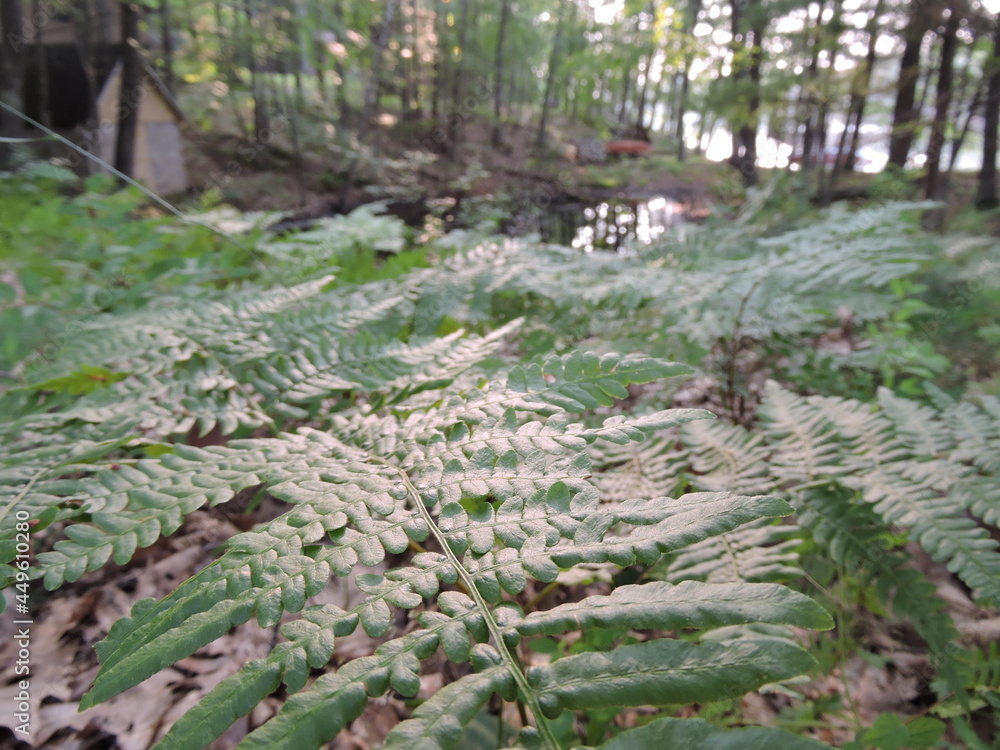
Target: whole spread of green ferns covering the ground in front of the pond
443	437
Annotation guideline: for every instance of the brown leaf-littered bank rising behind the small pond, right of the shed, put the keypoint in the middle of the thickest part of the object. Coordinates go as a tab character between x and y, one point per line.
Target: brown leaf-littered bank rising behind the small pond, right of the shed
408	172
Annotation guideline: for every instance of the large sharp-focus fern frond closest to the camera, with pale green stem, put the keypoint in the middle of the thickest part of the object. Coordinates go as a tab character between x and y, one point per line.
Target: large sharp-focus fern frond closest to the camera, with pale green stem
486	485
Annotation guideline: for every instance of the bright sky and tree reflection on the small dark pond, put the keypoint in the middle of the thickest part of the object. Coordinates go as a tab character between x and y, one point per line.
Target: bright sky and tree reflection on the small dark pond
610	225
